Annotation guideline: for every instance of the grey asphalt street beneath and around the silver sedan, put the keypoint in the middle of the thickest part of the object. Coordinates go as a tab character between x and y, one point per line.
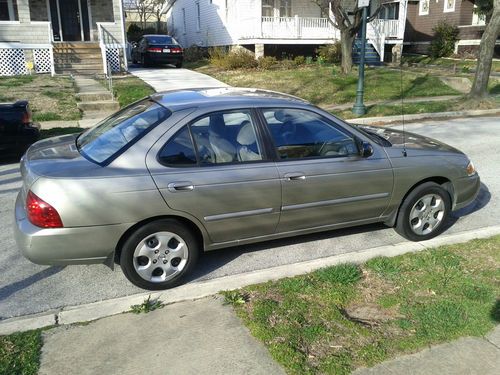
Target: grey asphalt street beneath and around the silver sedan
26	288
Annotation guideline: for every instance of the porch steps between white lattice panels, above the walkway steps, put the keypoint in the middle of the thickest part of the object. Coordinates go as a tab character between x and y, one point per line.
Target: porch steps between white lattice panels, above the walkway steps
78	58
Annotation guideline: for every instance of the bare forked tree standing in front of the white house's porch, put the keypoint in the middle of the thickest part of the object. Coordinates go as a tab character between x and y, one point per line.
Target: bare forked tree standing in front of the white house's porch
347	18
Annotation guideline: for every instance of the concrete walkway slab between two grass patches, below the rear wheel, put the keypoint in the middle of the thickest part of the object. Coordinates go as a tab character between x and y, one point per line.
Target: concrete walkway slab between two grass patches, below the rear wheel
194	337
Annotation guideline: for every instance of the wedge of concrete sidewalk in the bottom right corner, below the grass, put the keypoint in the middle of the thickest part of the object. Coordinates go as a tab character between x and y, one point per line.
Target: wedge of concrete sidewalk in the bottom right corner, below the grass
466	356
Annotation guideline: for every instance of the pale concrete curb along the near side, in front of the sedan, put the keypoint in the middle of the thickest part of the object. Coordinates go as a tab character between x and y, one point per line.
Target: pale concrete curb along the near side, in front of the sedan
196	290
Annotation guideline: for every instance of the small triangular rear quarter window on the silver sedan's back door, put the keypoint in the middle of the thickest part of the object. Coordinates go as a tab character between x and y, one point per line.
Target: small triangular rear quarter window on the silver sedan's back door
179	150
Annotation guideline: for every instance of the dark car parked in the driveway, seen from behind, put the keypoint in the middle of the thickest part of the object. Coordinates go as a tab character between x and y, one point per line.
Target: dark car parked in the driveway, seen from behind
157	49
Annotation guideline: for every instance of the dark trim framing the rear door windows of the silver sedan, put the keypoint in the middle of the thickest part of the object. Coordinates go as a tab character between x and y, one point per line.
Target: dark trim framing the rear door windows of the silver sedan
256	122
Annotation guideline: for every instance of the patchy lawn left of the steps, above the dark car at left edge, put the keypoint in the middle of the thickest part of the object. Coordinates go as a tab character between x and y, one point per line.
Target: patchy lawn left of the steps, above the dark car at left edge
50	98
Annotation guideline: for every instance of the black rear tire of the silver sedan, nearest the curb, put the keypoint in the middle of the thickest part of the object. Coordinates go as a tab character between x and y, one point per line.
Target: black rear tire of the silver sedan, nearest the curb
128	261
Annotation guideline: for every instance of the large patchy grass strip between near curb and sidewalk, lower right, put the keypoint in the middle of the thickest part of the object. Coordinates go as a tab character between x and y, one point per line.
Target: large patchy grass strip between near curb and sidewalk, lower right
337	319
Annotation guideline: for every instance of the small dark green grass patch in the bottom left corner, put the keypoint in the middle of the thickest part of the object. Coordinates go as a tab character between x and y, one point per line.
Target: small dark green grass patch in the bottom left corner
20	353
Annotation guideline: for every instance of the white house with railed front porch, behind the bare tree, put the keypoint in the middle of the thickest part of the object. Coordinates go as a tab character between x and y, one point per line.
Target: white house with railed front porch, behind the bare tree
259	24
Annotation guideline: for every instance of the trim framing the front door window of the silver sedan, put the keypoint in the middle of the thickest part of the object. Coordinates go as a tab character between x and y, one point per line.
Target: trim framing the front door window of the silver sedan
277	157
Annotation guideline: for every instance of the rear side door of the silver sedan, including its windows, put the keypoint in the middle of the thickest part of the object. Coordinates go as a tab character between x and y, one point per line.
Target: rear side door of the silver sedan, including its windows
215	170
